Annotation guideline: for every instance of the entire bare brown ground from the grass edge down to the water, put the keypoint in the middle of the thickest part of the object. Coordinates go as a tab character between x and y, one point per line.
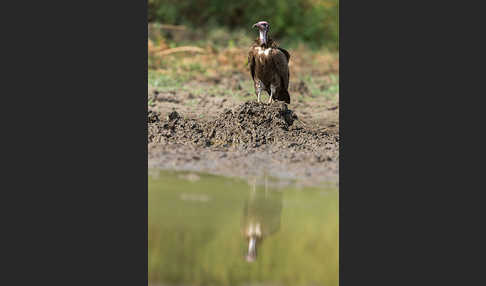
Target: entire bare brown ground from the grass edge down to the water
239	137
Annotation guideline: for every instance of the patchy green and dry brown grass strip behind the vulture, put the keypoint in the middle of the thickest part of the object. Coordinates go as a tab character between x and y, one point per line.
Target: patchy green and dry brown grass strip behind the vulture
225	56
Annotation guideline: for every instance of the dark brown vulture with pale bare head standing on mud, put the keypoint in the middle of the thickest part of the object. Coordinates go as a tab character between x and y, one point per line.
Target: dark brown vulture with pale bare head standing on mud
269	66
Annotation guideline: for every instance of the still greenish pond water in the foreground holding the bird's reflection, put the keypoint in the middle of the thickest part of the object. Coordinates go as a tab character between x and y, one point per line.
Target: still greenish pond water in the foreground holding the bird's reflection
201	228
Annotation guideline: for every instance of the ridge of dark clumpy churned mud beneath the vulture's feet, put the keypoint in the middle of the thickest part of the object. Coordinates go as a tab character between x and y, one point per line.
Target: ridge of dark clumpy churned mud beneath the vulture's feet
249	125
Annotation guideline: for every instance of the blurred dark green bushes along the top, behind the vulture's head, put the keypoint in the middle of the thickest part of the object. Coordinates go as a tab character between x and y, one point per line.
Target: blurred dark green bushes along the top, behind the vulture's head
314	22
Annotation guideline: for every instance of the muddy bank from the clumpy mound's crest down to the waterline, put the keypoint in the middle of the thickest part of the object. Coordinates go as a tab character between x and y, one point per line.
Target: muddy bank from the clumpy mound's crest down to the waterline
247	139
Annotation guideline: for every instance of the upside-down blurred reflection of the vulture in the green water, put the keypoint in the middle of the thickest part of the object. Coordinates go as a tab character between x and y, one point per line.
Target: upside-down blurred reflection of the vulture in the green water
261	216
